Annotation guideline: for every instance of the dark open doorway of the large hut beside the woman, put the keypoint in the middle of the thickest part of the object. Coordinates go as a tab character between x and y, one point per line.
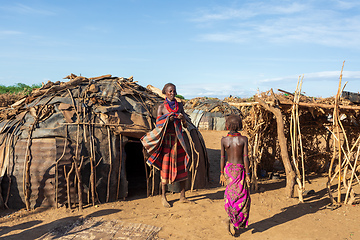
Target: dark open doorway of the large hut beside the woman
135	168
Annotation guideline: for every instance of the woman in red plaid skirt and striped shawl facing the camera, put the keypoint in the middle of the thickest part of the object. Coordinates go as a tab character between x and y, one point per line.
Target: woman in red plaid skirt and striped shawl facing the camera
167	148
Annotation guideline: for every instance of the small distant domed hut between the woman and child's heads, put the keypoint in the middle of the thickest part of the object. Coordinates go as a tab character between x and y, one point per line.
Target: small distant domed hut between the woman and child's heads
209	113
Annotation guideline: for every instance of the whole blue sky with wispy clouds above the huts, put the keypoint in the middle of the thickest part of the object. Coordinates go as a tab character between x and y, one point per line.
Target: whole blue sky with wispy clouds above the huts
205	47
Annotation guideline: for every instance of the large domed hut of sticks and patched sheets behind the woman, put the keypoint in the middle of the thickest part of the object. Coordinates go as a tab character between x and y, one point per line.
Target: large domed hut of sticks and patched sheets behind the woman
77	143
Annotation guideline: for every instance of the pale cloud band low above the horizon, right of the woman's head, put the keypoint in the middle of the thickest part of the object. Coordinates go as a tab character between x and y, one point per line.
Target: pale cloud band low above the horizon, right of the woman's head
323	84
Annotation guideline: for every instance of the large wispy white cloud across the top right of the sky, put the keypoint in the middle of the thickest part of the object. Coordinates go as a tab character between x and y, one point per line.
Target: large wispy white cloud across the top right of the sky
332	24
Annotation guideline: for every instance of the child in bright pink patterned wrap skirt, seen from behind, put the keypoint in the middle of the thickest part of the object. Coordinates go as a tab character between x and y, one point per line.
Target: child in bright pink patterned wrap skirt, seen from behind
235	175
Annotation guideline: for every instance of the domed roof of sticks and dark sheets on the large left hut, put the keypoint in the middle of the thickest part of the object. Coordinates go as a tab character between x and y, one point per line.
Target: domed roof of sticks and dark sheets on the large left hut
104	95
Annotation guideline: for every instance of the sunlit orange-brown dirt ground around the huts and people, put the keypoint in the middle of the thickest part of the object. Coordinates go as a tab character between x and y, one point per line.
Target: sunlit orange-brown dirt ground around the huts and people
272	216
